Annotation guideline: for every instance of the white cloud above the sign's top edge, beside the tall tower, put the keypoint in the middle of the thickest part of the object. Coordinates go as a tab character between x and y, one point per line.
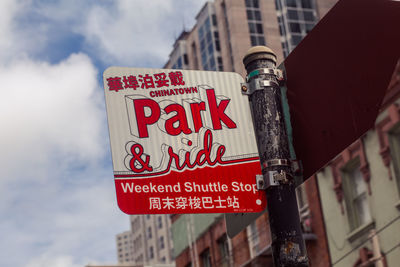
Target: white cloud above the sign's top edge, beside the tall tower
138	33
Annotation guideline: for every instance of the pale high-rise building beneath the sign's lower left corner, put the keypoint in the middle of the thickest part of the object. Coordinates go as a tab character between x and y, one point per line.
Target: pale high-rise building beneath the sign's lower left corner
148	242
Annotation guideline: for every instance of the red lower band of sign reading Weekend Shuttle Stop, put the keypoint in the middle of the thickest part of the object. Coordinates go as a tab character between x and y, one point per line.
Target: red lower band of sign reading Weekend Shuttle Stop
220	189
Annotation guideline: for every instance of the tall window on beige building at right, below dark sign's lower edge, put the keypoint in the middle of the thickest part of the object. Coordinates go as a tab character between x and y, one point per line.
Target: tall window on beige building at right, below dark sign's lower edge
356	195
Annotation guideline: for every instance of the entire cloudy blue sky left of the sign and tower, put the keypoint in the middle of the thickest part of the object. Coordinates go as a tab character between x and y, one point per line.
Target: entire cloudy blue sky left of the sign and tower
57	197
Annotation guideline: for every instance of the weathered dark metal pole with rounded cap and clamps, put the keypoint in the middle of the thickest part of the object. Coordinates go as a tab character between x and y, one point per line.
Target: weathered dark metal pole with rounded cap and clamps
288	247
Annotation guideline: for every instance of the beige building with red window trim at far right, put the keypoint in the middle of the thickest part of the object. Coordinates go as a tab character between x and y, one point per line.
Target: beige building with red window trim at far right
360	193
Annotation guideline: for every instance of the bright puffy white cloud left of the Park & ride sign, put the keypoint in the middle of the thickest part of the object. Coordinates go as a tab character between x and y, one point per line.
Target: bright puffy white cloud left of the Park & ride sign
51	113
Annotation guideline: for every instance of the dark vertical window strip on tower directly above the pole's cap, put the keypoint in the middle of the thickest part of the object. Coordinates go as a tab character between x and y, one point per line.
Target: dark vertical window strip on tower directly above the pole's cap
255	22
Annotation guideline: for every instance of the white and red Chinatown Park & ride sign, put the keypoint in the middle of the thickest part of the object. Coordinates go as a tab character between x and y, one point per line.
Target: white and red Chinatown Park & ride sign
181	142
